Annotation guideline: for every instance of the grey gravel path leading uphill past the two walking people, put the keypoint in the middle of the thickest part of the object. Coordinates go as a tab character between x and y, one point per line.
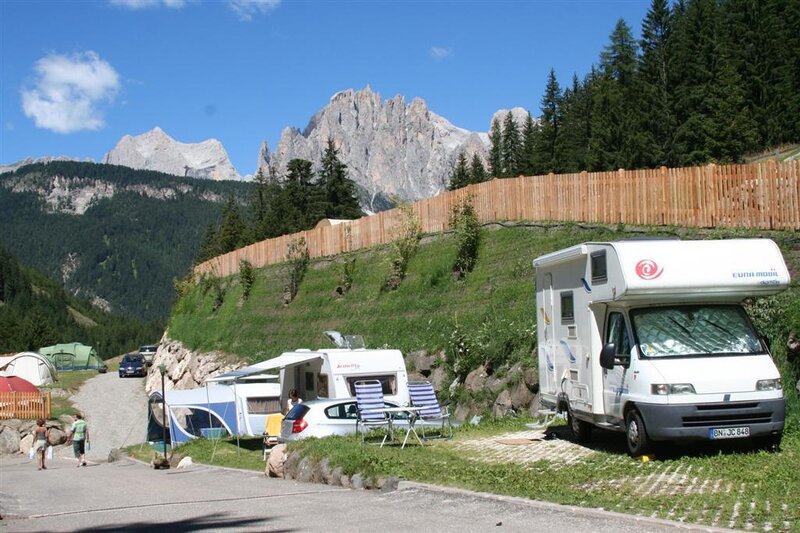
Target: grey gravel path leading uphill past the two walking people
116	411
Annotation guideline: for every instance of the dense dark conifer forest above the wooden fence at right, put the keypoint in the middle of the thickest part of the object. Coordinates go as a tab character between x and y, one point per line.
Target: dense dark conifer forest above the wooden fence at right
709	81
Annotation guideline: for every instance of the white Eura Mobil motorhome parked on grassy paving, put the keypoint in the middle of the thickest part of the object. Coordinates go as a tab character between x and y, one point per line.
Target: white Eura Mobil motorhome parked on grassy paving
649	337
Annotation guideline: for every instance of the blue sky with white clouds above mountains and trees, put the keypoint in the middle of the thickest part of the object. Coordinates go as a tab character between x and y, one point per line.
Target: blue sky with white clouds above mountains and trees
77	76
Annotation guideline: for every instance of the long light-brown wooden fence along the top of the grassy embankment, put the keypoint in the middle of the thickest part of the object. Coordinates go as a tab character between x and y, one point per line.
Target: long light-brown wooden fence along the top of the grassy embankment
762	196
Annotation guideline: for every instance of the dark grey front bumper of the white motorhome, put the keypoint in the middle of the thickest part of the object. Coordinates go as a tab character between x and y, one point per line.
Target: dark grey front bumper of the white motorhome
693	421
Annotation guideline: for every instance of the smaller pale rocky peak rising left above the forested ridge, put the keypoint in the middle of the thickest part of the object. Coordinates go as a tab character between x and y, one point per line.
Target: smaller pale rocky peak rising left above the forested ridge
155	150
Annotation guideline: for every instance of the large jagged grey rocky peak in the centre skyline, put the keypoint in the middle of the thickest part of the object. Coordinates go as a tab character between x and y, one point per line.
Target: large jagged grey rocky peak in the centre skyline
391	148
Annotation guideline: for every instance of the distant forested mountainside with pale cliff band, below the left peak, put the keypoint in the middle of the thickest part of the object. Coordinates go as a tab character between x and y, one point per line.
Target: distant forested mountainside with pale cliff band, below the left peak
112	235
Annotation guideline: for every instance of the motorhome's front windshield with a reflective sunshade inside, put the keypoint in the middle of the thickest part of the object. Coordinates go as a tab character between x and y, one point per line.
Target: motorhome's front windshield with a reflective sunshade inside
691	331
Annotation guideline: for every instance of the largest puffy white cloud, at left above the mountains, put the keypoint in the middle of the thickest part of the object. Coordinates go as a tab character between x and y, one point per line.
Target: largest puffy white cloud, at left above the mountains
68	91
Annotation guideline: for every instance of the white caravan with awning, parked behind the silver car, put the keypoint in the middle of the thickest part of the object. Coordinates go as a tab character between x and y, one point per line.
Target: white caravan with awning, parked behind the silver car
332	373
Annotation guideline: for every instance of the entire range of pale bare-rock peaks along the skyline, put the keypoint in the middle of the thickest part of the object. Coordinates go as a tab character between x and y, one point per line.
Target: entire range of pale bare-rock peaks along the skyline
394	150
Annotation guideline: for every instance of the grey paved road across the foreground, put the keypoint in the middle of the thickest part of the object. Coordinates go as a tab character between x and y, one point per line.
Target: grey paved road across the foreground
130	496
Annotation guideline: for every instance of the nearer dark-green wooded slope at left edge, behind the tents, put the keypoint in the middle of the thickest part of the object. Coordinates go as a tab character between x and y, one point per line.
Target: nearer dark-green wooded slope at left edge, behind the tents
35	311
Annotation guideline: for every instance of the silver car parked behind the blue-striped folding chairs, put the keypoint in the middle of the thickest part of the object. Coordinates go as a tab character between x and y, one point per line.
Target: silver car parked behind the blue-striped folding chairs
323	418
